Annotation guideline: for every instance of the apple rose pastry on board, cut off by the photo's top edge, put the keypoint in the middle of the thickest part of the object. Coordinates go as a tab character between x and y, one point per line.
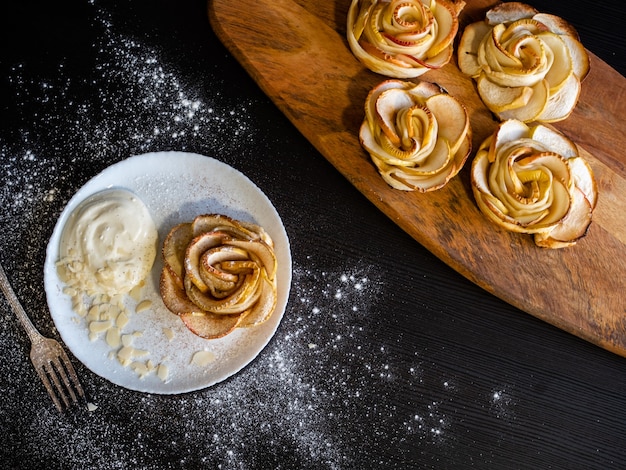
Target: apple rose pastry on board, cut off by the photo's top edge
403	38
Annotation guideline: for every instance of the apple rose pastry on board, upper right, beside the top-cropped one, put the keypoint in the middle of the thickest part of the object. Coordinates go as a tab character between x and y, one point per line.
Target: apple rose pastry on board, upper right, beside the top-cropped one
527	65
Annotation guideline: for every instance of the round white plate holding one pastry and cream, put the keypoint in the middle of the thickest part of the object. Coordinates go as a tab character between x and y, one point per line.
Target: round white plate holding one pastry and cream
176	187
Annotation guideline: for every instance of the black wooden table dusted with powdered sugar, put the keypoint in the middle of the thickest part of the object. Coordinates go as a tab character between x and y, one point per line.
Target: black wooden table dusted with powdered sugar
385	358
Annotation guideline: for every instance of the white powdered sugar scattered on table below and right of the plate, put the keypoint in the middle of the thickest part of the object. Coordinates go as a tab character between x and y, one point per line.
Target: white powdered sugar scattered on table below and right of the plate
318	380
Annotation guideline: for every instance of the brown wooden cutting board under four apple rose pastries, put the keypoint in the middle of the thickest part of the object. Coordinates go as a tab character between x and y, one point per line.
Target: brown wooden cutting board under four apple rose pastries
297	52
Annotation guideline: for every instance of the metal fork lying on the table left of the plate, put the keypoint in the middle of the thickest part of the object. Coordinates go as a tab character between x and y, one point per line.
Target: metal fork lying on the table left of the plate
47	355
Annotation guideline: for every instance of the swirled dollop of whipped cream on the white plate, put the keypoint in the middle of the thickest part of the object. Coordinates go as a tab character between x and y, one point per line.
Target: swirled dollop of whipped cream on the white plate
108	244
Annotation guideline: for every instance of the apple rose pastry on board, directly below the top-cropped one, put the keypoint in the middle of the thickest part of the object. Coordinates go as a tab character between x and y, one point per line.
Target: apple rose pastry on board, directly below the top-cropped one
417	135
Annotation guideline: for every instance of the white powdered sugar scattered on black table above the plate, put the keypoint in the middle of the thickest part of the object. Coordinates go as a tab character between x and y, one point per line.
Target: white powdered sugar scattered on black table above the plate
132	102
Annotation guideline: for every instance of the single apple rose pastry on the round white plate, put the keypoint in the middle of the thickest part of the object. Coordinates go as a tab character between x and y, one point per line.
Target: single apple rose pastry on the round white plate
218	274
